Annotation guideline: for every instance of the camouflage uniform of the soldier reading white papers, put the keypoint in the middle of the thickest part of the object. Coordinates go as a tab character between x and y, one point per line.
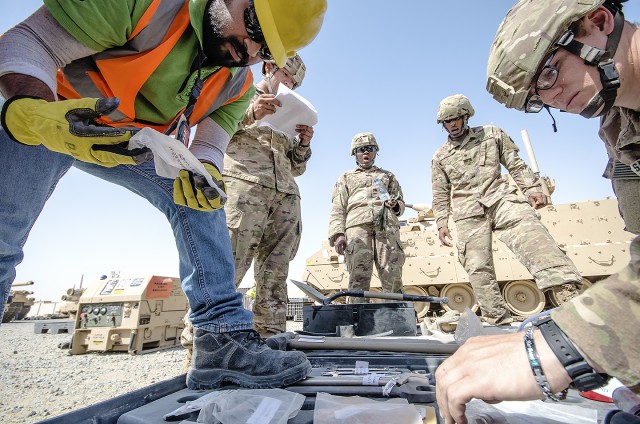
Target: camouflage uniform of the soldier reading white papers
263	213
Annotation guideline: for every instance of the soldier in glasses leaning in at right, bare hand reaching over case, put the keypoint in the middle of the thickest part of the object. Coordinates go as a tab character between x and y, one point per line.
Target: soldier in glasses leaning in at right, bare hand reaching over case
604	321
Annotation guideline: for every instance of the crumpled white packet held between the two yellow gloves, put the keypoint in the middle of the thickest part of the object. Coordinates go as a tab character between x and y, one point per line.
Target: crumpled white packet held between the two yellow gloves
171	156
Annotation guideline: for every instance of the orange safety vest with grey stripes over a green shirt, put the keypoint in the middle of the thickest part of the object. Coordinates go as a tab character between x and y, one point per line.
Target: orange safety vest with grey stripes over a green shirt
122	72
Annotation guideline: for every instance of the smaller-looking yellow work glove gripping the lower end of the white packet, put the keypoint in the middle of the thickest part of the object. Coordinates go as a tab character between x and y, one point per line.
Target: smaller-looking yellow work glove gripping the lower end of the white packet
193	191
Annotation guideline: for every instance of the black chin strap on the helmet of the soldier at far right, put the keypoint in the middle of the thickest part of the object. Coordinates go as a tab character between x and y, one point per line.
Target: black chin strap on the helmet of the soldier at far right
603	60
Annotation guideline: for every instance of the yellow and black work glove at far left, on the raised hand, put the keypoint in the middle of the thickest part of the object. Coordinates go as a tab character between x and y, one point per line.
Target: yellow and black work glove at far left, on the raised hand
70	127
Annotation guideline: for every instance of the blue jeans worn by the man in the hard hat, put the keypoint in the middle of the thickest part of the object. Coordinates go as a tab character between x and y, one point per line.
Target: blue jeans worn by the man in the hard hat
29	175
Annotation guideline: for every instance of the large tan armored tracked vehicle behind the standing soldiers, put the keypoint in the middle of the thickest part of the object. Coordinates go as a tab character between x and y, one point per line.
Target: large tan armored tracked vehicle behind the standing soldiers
590	233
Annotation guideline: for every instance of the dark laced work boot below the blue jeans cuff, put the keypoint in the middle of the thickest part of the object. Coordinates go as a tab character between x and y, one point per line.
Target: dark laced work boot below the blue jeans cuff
241	357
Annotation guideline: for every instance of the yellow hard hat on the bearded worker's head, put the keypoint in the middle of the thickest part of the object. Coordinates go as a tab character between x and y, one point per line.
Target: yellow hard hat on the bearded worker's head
289	25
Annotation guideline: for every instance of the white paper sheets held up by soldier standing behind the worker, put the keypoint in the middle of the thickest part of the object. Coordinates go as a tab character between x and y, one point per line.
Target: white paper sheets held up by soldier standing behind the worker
295	110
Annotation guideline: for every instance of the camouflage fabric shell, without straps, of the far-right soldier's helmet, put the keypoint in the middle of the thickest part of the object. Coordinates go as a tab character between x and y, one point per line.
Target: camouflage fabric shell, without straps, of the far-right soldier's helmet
528	32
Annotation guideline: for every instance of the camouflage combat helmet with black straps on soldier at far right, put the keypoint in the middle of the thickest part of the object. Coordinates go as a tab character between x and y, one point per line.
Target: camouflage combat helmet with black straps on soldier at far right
530	32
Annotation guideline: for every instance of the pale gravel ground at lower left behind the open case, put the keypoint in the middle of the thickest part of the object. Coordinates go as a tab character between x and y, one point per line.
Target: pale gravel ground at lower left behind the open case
41	381
